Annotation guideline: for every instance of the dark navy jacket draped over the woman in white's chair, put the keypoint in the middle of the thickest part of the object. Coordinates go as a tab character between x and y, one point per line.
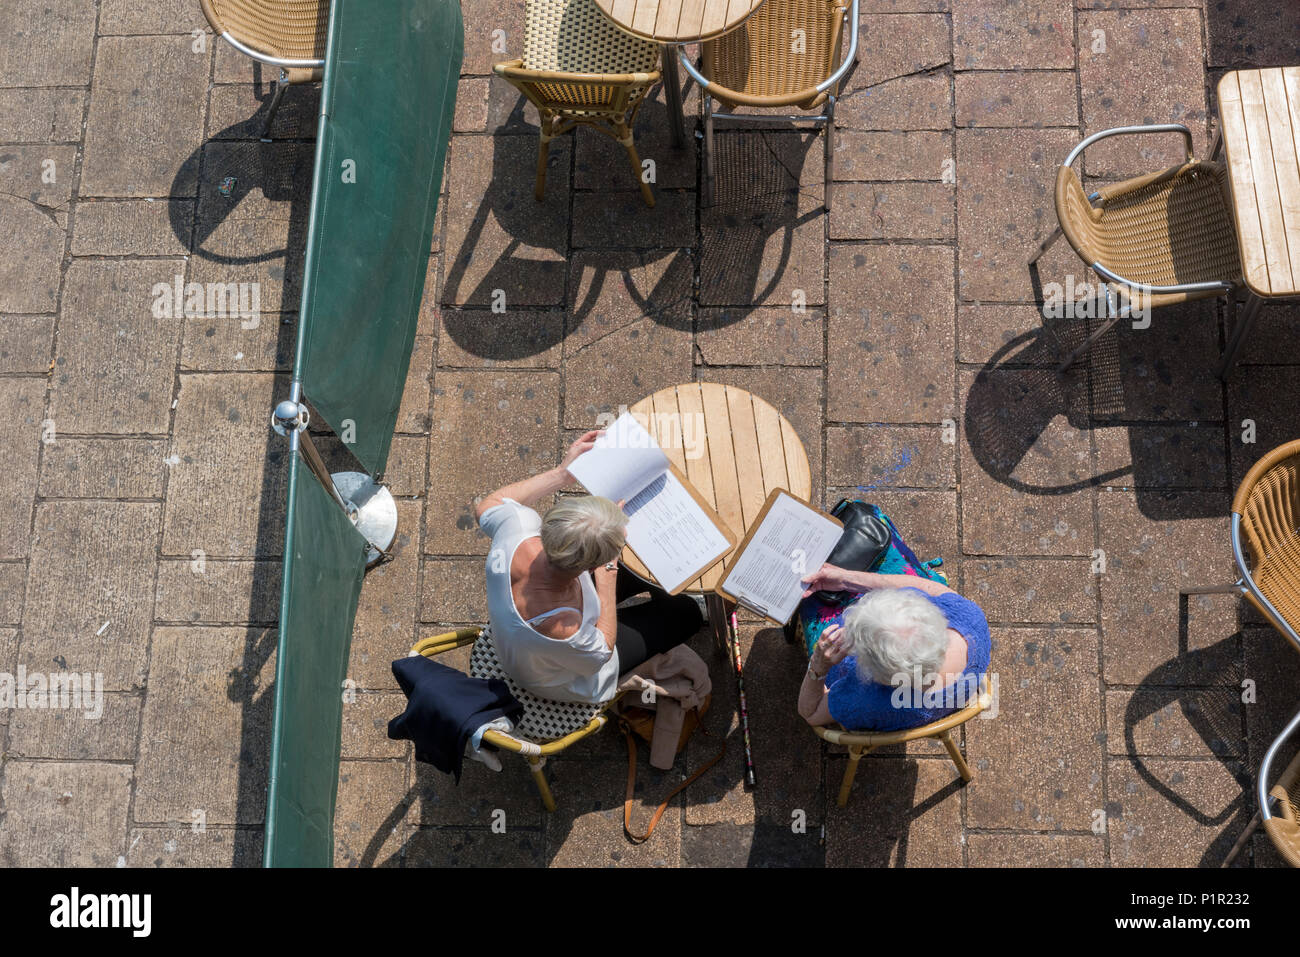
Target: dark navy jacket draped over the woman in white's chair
445	708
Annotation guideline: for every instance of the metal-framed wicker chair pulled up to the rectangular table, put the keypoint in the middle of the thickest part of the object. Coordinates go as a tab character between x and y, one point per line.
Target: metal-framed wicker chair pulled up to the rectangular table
1159	240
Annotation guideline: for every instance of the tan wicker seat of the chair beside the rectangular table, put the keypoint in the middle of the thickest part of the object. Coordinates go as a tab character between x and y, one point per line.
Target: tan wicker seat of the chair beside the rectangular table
1168	228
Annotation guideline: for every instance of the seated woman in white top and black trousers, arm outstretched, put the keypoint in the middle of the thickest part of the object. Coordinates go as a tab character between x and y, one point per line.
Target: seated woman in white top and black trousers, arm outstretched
554	584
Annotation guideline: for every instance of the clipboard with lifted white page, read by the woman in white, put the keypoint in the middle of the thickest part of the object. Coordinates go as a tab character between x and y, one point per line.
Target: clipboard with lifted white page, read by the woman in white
670	527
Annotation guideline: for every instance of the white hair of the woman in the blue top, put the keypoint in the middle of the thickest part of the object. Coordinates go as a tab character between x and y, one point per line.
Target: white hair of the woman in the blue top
896	631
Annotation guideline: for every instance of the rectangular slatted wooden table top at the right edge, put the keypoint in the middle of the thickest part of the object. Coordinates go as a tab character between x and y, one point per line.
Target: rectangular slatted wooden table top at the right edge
1260	120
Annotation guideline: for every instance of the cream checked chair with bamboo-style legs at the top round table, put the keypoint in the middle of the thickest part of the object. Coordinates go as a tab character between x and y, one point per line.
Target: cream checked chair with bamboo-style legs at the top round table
582	71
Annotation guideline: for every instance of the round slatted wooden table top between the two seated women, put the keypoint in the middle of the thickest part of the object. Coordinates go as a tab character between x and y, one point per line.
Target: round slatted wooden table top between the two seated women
733	447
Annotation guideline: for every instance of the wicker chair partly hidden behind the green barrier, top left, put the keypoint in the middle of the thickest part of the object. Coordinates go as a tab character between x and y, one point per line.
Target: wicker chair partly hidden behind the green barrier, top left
289	34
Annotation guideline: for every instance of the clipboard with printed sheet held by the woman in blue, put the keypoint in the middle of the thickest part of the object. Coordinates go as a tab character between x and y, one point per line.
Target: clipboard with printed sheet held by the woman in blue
788	542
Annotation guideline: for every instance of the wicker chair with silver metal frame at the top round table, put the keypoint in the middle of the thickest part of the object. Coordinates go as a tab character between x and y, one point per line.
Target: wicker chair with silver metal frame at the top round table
786	55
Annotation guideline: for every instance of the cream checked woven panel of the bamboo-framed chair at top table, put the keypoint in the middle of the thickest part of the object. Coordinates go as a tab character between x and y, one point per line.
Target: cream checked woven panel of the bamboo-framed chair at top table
575	37
